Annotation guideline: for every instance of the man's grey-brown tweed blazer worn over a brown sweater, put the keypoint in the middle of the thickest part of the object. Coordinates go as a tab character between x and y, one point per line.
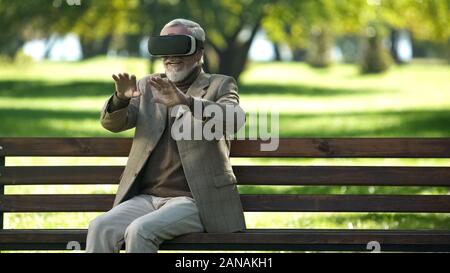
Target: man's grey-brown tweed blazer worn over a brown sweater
206	163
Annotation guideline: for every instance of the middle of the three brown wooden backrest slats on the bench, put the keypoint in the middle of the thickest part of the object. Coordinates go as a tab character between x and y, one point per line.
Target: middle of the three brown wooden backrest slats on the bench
246	175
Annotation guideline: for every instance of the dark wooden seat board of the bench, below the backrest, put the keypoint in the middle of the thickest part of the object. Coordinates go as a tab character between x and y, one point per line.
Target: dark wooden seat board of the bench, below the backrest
252	239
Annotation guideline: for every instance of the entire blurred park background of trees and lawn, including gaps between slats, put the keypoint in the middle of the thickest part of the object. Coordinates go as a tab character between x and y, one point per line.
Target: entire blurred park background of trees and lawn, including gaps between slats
331	68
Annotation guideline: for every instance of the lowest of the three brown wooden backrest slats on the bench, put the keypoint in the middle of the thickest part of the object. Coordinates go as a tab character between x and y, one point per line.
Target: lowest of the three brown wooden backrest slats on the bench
250	202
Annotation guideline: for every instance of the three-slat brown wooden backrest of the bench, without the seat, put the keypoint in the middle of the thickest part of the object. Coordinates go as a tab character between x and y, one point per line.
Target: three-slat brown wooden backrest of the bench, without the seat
247	175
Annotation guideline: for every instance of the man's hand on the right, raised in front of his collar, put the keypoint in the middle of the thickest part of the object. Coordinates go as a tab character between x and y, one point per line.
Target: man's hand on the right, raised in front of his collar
166	92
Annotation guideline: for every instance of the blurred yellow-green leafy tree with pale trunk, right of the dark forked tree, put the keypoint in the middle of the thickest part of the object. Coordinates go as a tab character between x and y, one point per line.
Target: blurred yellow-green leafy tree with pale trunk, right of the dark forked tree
313	25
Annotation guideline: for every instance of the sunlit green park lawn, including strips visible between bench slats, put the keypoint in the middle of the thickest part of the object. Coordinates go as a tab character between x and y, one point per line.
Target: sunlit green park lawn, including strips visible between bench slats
64	99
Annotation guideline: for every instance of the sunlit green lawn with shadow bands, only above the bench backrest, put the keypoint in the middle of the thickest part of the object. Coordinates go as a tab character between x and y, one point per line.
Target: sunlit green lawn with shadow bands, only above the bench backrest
60	99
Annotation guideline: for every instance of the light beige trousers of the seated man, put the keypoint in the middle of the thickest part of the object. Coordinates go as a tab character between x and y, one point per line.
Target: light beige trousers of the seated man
143	223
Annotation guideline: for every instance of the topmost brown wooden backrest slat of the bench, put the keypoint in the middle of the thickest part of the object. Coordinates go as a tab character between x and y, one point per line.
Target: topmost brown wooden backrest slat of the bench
288	147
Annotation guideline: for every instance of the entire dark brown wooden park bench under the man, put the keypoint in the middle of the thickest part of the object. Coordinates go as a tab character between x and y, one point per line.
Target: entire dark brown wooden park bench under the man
251	239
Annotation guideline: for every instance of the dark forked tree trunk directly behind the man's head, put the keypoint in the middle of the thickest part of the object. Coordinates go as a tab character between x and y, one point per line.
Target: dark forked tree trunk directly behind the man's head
231	26
